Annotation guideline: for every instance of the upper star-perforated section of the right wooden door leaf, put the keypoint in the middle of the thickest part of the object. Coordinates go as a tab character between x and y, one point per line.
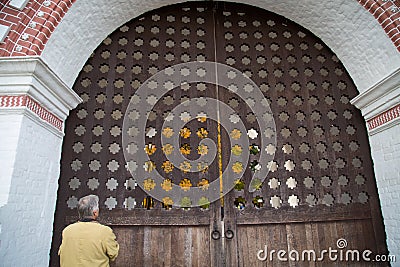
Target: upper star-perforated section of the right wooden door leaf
321	155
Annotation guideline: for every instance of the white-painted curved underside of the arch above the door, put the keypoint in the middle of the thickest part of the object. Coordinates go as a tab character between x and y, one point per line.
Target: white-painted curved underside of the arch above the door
345	26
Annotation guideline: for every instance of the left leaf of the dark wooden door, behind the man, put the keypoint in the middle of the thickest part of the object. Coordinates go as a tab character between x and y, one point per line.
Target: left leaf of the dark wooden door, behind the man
93	161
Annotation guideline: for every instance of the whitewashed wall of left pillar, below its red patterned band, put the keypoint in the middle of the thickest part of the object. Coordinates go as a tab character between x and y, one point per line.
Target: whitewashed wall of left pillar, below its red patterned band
25	216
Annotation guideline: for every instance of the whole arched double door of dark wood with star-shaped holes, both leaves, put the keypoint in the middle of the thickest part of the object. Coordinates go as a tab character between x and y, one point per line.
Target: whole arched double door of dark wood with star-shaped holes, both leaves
320	187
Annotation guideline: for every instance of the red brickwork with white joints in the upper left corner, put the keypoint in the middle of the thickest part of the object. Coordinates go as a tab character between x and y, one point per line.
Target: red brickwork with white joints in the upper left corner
31	27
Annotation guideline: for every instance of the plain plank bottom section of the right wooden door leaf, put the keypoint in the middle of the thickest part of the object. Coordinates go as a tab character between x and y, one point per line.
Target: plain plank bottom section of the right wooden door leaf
301	237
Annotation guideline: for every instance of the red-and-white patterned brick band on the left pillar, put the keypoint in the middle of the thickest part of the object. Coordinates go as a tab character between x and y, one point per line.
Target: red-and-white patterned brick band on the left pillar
18	101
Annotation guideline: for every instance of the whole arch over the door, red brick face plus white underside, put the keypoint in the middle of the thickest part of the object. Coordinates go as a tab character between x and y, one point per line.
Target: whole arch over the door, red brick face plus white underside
351	33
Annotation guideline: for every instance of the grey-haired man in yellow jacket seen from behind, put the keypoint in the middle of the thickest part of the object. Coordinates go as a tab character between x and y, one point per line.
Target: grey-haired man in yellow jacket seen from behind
87	242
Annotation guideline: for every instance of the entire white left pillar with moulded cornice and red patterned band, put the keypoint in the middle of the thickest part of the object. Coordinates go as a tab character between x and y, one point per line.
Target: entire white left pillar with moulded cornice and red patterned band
34	102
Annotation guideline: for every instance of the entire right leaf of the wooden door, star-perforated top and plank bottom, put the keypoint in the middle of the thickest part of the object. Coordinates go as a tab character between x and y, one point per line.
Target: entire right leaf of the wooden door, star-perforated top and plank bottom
320	186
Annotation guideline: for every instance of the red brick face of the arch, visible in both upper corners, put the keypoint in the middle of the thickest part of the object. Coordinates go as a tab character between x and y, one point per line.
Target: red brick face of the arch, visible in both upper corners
32	27
